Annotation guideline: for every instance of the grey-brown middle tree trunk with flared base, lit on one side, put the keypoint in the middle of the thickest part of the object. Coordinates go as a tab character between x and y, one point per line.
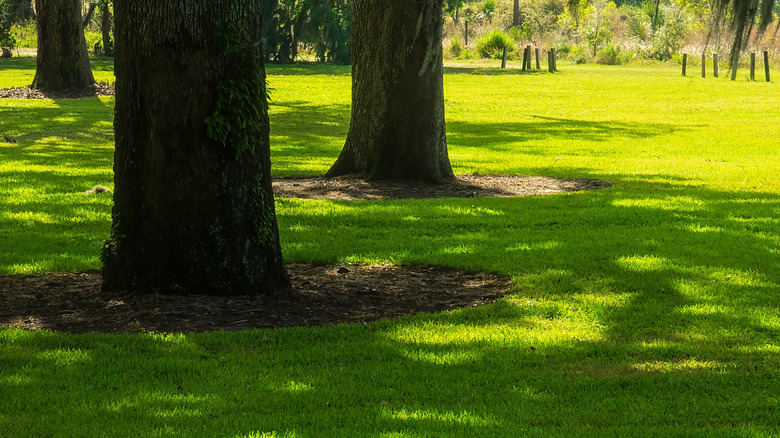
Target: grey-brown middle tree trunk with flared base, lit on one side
397	128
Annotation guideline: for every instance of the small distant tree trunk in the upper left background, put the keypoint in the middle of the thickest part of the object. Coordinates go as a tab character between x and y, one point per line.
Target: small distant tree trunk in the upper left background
62	58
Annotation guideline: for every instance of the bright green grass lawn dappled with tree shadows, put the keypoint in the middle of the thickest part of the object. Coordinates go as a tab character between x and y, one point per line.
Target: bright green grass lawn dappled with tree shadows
646	309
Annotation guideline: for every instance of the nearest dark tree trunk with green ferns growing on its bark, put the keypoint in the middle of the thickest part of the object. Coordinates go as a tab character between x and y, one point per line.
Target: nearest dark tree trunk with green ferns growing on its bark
193	203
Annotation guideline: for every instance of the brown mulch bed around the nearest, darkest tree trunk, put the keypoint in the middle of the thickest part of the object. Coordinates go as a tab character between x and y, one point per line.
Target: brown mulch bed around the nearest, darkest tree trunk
320	295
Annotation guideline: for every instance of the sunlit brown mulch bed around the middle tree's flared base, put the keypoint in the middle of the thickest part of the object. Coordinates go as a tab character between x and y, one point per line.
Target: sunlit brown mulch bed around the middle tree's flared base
352	187
